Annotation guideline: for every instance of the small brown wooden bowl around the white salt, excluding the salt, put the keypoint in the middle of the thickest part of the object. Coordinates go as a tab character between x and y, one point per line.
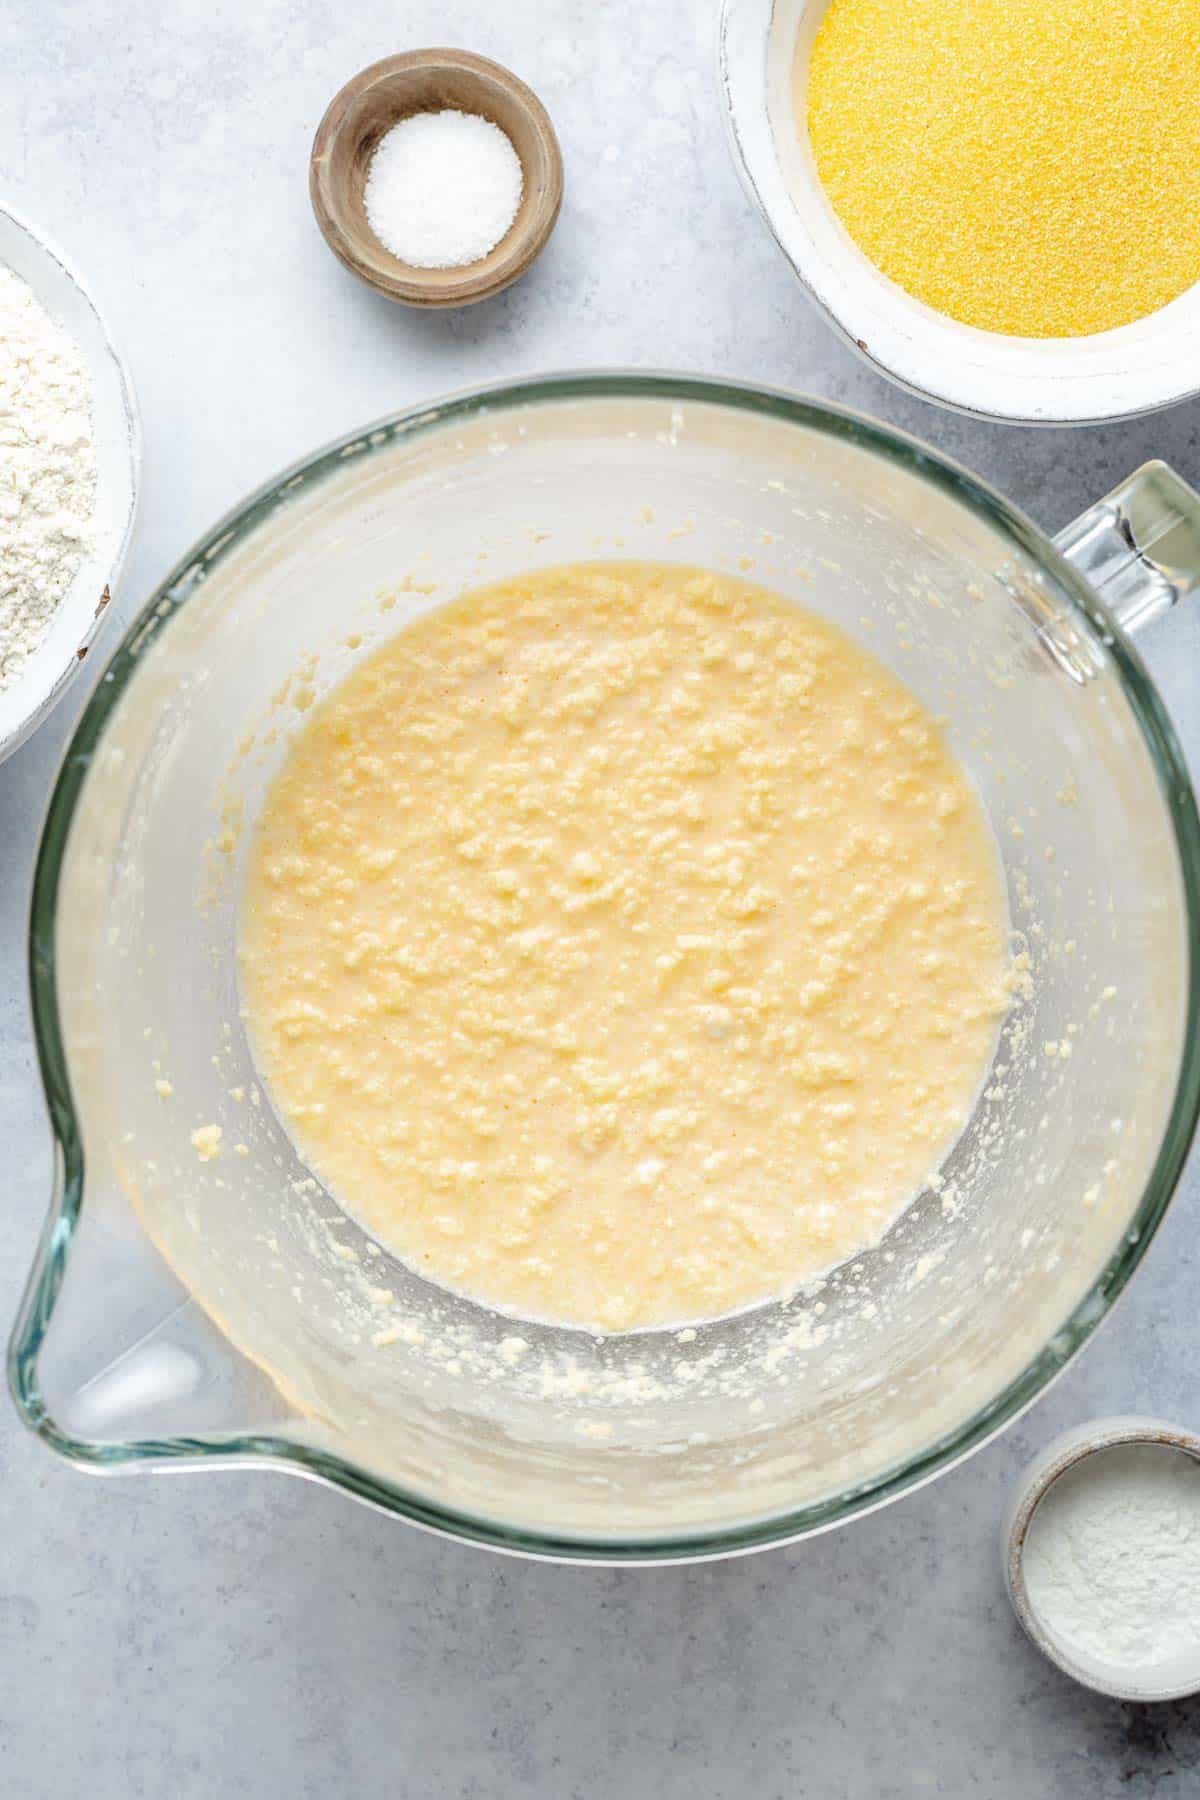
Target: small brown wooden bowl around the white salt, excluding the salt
431	82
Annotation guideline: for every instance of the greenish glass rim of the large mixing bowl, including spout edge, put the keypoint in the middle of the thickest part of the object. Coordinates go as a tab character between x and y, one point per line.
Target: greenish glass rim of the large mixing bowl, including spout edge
69	1191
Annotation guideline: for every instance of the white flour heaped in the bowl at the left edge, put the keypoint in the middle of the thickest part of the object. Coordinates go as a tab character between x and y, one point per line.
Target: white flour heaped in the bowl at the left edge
48	471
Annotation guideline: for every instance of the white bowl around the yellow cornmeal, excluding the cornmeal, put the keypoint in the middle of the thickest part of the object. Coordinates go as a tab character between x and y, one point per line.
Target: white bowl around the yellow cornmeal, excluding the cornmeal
1138	368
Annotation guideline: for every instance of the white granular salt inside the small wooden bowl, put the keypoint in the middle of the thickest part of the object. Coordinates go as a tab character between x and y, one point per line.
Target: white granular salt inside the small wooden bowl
443	190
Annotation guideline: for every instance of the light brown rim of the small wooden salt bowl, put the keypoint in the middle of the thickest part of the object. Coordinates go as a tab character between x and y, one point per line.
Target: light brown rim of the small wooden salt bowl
388	274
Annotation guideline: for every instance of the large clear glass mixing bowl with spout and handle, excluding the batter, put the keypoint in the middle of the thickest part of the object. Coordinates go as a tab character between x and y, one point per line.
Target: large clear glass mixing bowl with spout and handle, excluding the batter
199	1313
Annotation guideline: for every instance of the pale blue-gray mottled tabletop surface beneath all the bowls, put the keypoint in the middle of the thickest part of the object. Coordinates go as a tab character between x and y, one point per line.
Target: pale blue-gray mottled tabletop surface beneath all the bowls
253	1635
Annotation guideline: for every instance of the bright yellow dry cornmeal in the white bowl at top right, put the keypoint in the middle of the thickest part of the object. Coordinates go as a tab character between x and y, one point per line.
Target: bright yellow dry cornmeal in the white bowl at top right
1028	166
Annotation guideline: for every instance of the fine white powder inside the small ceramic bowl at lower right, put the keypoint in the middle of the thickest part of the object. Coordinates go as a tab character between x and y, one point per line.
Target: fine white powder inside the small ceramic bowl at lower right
1113	1556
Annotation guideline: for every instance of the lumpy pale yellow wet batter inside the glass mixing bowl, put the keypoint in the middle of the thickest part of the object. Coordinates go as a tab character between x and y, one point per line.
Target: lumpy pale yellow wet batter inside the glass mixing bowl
623	944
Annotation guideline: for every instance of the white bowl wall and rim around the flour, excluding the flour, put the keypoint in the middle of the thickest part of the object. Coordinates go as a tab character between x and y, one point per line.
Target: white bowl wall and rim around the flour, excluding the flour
84	609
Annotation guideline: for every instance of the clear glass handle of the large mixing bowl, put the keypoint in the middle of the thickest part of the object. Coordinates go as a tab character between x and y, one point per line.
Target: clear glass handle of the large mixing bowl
1140	548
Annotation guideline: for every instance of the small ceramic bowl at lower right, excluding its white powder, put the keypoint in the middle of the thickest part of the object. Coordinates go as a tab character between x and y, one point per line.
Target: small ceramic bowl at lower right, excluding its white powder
1172	1680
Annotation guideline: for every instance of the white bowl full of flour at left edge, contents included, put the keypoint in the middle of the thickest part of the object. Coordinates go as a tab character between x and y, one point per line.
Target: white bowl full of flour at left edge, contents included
69	476
